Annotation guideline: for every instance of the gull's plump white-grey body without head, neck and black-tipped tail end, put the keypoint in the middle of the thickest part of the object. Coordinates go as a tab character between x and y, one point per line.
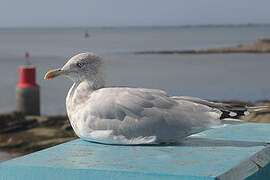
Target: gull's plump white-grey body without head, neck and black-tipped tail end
137	116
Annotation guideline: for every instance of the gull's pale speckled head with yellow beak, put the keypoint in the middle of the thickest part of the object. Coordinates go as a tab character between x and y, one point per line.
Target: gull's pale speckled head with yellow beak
83	66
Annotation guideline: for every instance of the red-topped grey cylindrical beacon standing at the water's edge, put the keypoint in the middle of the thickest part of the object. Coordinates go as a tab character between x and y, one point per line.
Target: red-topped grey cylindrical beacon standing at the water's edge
27	91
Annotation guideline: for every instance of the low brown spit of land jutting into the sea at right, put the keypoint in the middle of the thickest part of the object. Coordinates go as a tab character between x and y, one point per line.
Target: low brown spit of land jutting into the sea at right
260	46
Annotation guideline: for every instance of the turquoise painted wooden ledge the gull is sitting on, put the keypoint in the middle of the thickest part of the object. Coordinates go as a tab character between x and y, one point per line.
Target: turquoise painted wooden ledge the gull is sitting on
231	152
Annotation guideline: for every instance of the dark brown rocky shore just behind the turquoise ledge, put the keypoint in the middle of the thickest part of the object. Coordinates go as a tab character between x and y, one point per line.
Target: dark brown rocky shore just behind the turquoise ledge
21	134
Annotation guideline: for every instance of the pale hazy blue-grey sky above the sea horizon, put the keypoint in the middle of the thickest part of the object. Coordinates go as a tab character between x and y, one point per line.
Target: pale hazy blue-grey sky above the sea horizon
58	13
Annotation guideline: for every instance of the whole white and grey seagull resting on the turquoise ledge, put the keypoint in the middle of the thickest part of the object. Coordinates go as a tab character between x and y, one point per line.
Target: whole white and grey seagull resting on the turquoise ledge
124	115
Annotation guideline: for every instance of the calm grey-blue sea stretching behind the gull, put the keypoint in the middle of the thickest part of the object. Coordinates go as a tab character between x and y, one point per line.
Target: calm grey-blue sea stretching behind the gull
216	76
